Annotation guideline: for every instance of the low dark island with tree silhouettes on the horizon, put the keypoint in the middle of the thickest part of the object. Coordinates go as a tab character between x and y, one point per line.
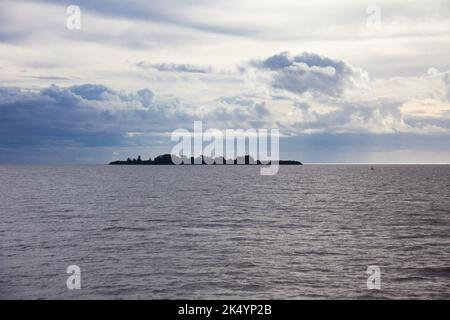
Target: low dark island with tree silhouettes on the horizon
166	159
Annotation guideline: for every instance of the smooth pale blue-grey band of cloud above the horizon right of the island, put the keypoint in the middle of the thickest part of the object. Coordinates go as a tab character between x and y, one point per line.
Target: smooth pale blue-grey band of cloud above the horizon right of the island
367	148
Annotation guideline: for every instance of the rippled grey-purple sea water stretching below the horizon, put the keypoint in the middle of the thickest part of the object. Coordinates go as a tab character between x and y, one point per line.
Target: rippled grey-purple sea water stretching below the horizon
213	232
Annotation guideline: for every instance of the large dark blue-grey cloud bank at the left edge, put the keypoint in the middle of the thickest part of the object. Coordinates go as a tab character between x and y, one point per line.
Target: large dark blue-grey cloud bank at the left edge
86	115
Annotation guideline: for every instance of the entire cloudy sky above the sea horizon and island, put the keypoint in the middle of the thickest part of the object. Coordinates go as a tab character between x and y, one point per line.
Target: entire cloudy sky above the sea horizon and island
345	82
